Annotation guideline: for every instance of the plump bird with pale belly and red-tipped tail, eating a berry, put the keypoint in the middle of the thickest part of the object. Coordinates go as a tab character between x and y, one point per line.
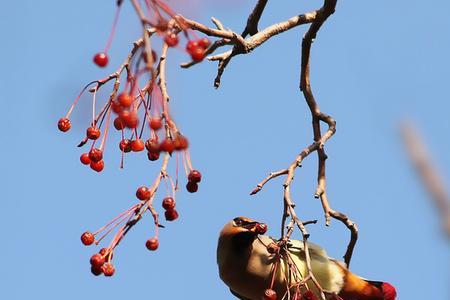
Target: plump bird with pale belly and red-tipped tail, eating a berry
246	261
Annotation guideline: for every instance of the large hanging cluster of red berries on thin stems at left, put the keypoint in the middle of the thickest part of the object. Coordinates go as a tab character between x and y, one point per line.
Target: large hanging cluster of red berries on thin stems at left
139	112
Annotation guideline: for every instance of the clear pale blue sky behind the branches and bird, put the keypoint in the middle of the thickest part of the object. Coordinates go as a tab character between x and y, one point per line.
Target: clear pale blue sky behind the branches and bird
374	64
